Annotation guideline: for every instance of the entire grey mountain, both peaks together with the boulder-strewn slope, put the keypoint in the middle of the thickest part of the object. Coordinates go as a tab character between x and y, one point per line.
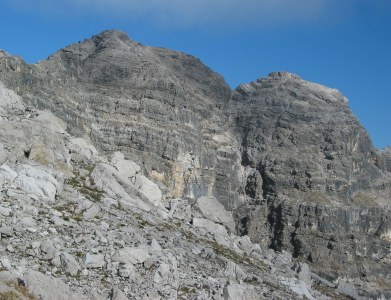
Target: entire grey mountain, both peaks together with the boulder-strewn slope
133	171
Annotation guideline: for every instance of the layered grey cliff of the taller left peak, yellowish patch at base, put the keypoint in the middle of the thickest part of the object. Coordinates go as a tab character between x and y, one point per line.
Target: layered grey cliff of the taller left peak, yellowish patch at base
161	108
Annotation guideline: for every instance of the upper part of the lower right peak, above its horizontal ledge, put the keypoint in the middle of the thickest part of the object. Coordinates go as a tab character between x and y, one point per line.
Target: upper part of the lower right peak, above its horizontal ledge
303	139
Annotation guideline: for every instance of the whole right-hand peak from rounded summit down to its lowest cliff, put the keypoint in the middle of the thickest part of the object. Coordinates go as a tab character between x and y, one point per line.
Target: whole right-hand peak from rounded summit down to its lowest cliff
318	184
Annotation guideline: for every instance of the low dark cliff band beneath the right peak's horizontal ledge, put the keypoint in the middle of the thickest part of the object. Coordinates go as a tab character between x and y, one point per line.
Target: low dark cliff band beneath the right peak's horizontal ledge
338	242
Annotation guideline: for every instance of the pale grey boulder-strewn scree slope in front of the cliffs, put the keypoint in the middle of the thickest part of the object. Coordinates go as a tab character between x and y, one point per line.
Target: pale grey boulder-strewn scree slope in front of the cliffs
114	236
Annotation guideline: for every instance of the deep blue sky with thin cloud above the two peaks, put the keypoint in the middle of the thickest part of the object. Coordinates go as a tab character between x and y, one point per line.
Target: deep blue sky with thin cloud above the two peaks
344	44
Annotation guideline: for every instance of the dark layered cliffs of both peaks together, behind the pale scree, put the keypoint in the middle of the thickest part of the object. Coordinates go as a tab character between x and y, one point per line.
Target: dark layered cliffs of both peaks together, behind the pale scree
288	156
